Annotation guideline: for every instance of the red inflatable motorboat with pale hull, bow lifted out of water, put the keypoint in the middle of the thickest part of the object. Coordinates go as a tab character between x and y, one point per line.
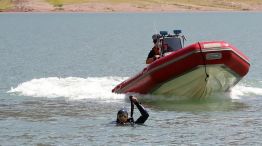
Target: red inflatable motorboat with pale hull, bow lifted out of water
198	70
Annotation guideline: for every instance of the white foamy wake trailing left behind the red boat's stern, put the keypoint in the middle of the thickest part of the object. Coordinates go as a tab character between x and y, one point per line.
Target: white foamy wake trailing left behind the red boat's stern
73	88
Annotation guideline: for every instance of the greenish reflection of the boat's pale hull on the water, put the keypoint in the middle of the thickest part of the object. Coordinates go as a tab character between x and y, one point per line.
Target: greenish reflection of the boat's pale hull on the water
215	103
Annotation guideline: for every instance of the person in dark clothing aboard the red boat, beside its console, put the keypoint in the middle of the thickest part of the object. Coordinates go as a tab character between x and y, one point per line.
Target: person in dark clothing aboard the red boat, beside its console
154	54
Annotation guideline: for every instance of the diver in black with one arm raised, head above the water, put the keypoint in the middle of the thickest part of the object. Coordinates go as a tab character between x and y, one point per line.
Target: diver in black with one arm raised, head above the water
122	114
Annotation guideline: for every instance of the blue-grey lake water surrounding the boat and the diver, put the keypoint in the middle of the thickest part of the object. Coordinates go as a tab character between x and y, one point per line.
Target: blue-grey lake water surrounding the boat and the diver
58	69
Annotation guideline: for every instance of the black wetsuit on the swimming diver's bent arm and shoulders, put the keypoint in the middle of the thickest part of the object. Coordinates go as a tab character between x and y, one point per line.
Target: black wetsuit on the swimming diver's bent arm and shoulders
141	119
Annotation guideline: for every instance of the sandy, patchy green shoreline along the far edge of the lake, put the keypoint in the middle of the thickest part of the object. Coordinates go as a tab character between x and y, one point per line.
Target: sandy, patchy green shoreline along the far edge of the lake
129	7
